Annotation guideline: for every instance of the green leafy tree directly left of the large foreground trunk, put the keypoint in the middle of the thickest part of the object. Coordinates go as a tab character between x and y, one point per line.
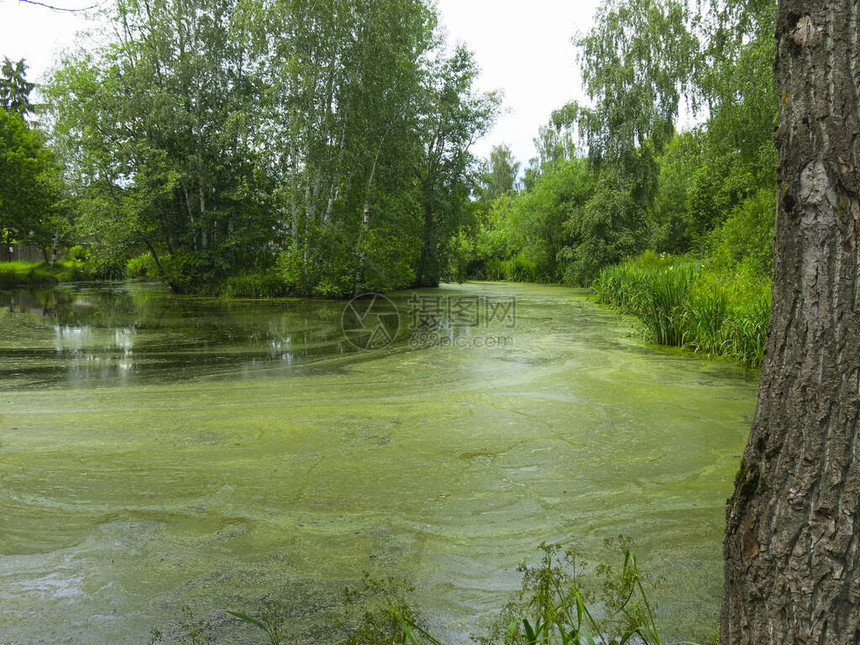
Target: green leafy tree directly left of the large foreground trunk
738	176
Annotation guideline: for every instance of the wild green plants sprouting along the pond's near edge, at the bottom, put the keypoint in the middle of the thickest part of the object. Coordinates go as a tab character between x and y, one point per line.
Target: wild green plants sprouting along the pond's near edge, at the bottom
558	604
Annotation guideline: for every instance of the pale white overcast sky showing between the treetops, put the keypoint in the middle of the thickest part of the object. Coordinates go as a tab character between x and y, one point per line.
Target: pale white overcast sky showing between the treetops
523	49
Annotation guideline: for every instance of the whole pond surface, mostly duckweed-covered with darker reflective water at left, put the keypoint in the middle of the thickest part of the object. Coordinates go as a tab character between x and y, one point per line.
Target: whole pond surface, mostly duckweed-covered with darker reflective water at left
159	451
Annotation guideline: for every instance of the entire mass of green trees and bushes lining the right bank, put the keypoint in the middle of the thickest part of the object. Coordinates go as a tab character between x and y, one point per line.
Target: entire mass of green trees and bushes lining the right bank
708	190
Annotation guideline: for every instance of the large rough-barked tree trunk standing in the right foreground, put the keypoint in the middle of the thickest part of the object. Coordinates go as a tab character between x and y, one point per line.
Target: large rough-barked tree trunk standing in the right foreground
792	548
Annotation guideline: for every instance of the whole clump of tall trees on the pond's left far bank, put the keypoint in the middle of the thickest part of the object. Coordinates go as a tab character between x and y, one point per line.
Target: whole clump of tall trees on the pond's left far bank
326	142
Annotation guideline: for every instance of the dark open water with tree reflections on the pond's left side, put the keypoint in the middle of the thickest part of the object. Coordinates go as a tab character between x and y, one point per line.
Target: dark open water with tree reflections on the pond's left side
142	334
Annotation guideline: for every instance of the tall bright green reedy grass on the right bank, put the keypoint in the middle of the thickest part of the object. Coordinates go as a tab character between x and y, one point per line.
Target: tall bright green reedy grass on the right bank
681	303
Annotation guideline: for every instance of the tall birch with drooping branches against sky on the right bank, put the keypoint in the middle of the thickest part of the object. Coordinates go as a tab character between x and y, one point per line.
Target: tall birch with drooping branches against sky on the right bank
637	60
